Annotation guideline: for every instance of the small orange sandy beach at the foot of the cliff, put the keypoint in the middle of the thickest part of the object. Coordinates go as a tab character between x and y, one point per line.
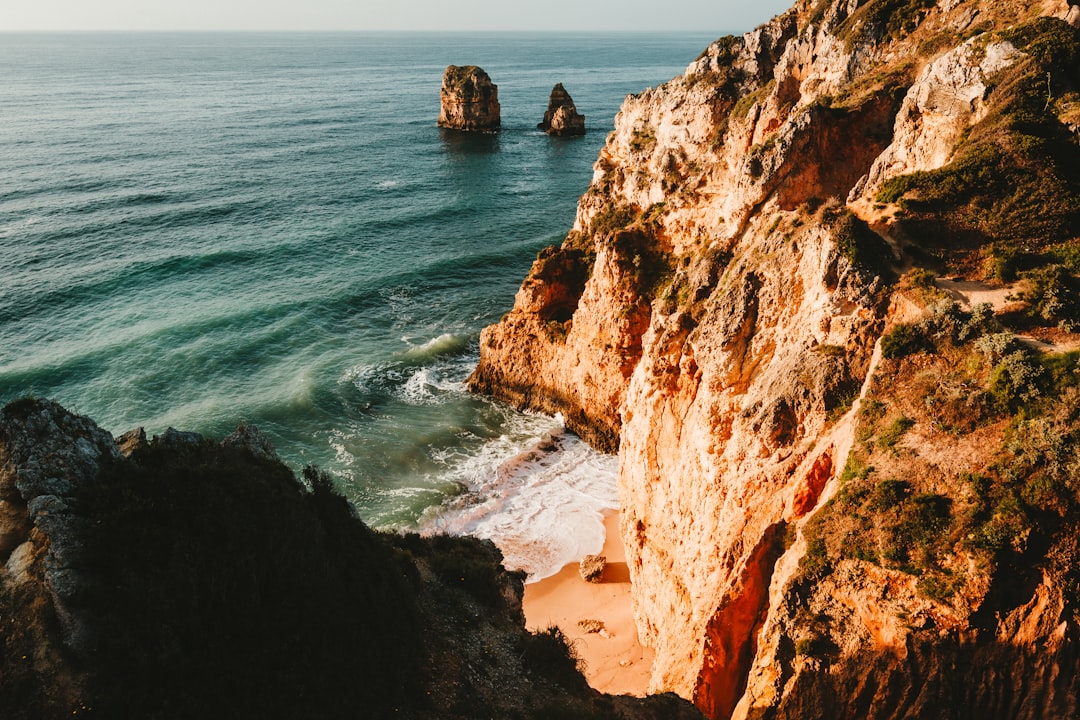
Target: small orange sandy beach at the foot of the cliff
615	661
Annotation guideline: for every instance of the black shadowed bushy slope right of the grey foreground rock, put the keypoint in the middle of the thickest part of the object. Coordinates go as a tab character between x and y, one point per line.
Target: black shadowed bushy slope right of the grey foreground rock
225	588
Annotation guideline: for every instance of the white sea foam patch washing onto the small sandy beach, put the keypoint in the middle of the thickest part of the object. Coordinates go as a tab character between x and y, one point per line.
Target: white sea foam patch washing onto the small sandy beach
542	500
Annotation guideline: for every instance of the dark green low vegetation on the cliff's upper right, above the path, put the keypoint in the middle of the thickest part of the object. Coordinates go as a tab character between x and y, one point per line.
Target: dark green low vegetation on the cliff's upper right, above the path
1015	181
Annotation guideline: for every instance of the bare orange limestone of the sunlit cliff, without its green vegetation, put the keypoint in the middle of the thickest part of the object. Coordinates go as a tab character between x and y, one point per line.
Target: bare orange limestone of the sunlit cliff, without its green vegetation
714	315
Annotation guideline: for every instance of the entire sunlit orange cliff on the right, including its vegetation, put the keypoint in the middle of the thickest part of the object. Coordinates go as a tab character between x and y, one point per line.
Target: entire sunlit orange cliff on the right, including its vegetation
834	499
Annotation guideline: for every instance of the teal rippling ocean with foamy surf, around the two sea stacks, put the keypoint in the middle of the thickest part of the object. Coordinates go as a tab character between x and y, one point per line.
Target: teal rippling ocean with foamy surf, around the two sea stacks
205	229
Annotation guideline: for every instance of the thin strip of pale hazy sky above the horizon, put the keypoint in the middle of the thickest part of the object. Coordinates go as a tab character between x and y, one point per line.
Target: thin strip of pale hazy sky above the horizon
569	16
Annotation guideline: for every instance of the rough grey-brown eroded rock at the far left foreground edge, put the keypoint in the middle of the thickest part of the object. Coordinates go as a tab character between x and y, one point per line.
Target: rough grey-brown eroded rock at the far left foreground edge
46	455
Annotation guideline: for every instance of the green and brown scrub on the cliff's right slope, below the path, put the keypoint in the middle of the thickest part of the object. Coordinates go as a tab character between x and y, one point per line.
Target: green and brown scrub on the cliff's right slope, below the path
958	378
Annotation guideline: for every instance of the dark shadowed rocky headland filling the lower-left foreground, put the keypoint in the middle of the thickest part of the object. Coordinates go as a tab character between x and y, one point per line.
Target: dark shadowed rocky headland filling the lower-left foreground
184	578
